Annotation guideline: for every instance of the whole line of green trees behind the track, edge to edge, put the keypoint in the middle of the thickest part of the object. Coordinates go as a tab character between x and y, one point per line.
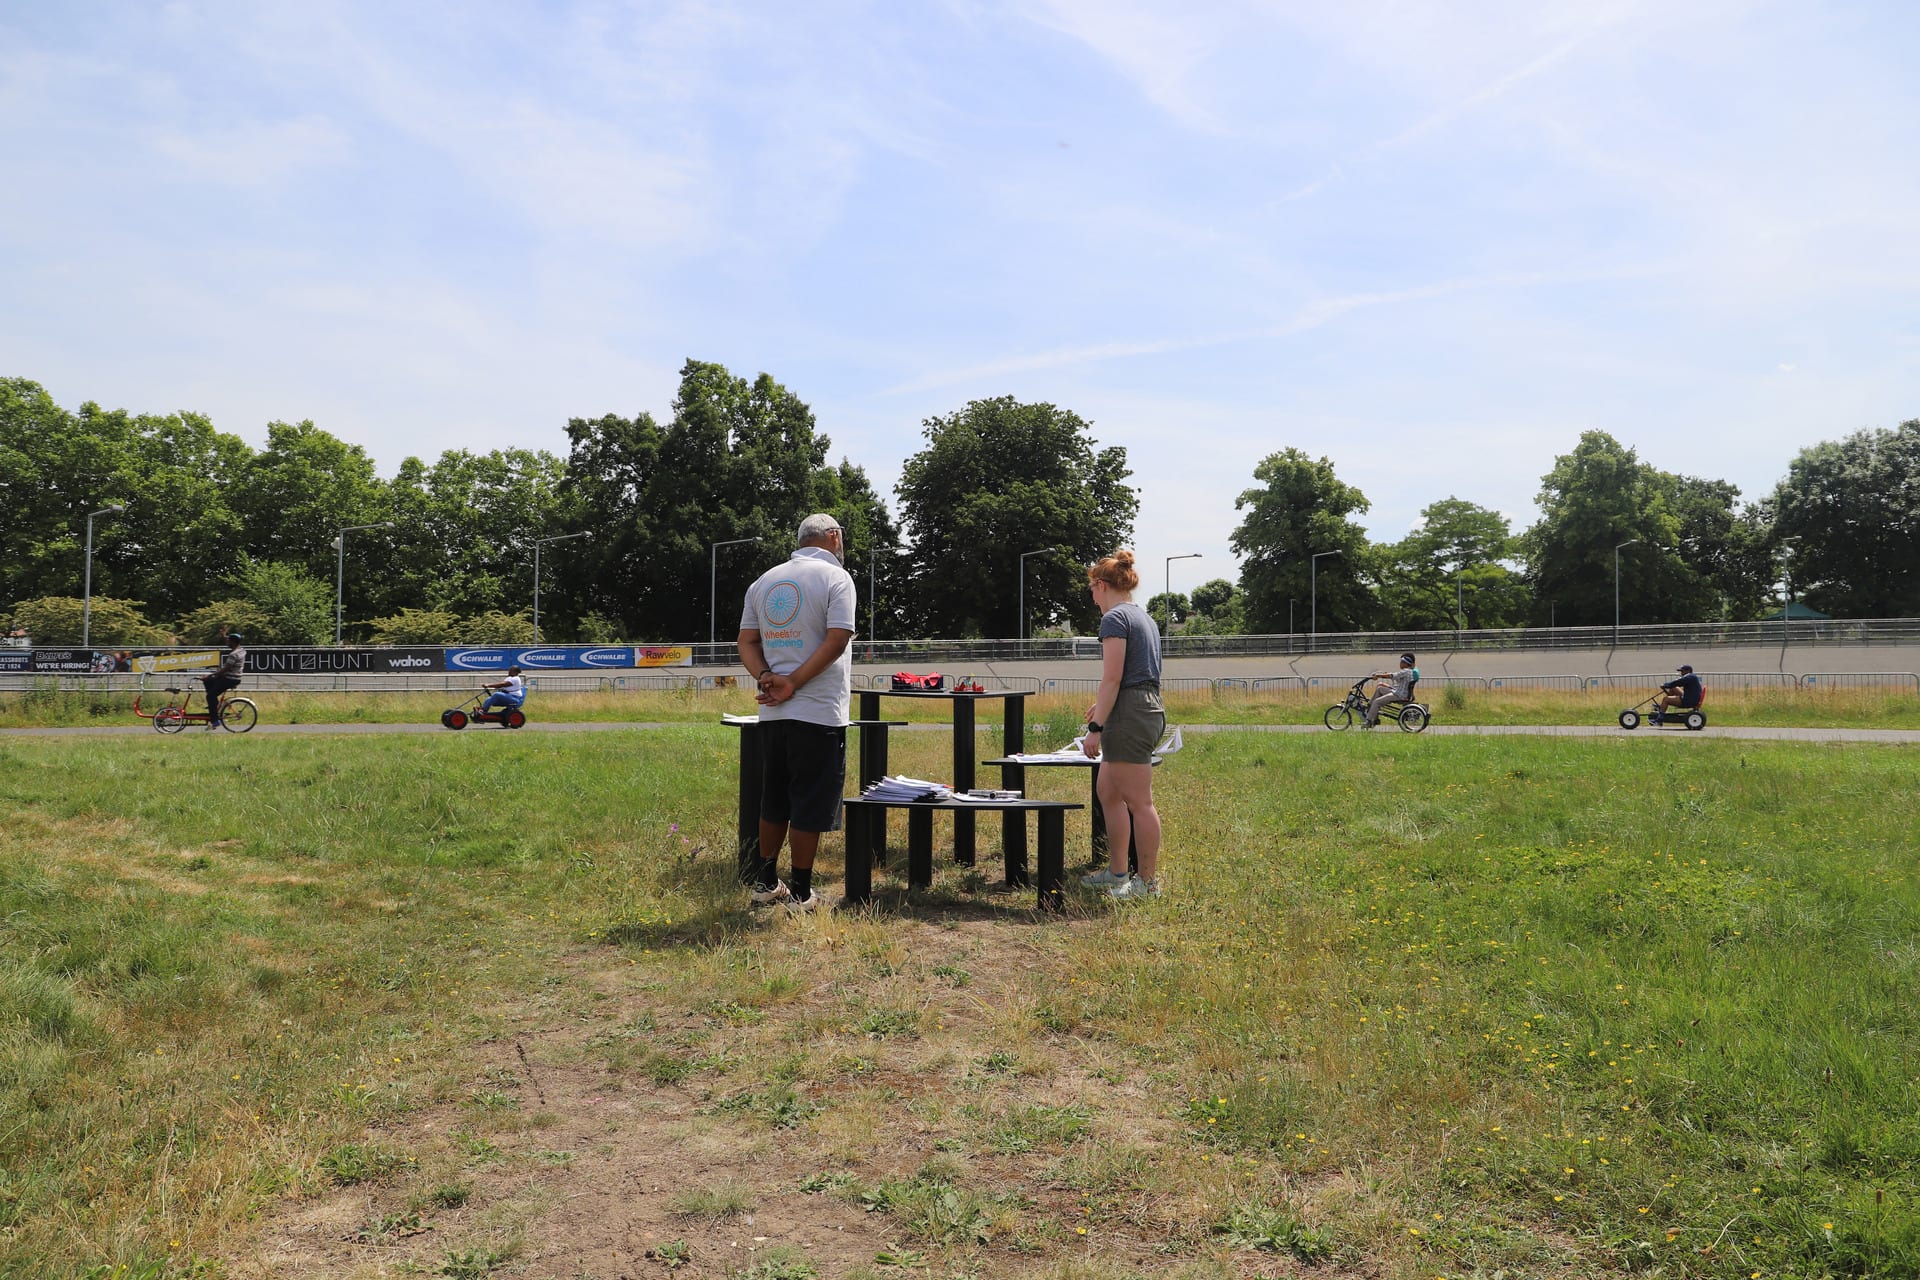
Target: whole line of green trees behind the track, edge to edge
648	533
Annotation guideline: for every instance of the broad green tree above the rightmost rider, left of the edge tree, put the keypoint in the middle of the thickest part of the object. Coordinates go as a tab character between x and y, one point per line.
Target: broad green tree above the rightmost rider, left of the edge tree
1685	534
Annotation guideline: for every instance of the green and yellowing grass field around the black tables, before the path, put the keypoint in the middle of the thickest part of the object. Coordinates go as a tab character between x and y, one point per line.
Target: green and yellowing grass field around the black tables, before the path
1414	1007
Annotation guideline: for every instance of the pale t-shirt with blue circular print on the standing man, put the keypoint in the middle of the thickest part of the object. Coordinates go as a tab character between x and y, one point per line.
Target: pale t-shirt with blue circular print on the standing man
792	607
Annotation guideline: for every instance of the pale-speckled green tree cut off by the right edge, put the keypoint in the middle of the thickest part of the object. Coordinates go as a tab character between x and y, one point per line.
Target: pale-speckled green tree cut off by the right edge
1854	513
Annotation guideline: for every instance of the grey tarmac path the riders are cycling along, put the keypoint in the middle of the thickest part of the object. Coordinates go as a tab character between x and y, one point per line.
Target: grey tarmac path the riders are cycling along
594	726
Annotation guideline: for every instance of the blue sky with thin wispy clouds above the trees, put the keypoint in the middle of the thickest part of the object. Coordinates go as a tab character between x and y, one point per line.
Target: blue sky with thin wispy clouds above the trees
1431	241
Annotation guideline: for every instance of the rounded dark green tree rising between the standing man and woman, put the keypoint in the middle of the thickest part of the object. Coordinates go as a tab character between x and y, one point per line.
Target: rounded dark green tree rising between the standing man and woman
996	481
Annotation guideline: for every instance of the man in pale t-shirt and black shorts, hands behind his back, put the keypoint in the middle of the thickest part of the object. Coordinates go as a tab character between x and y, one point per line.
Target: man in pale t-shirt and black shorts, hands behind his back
796	638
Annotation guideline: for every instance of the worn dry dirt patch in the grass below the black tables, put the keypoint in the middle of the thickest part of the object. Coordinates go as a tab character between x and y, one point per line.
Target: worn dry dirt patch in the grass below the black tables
867	1095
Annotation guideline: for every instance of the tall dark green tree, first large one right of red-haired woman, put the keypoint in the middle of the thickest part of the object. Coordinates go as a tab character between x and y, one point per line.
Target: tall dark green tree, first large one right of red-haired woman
1301	510
